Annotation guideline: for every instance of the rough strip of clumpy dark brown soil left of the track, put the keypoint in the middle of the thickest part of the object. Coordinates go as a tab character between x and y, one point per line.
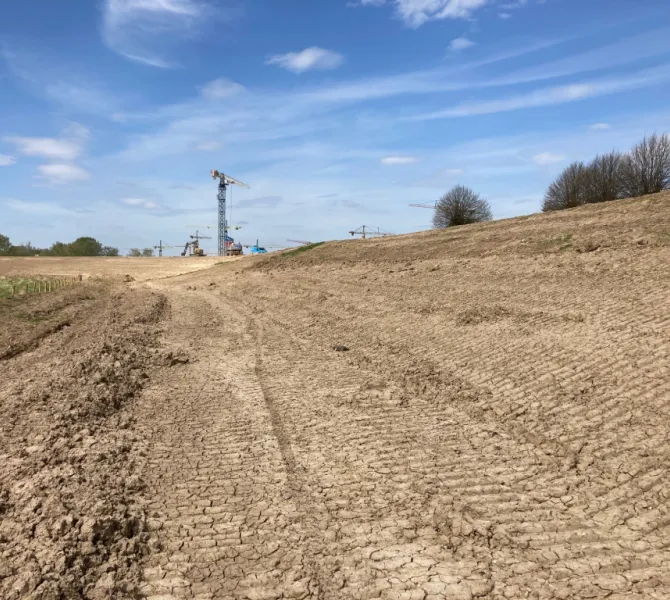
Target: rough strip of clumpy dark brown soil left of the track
70	454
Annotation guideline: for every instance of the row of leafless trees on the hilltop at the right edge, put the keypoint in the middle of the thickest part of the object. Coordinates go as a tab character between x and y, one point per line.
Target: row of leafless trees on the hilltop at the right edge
613	176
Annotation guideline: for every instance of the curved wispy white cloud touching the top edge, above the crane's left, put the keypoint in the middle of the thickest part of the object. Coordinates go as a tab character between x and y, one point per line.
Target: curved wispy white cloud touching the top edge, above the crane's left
135	28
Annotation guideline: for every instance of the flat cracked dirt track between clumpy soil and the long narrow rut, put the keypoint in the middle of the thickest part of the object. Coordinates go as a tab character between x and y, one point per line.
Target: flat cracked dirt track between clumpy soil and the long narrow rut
220	503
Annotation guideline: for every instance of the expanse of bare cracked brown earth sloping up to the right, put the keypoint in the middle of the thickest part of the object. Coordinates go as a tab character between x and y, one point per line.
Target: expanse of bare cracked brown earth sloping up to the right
475	413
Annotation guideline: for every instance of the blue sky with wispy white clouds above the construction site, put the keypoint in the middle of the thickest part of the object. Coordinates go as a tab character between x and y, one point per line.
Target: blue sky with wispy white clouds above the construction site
337	113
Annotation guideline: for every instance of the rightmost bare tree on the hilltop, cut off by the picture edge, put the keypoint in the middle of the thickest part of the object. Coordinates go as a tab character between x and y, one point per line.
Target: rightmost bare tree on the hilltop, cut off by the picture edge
646	169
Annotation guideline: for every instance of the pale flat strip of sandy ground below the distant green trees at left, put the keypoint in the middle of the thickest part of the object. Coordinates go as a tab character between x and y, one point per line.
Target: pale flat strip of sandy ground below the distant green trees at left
140	269
